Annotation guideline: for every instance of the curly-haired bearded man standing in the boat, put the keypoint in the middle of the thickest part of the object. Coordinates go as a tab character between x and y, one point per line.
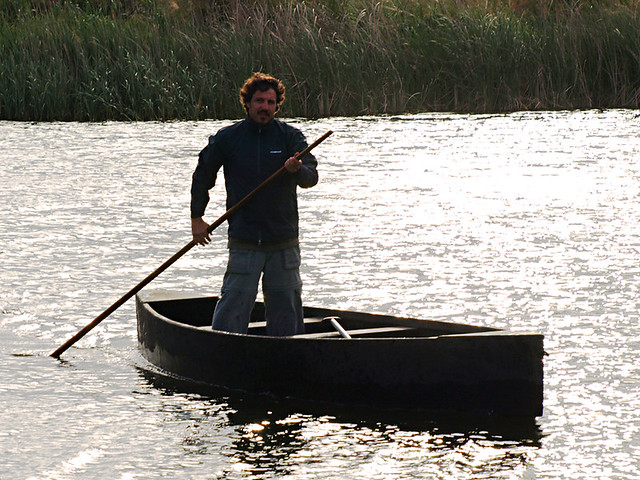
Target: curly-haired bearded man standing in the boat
263	234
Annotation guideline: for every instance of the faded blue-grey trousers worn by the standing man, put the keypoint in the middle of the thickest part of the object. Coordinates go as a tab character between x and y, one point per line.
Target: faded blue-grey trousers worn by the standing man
281	288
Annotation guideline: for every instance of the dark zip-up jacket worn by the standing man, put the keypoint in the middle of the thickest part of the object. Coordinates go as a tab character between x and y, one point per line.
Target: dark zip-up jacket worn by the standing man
249	154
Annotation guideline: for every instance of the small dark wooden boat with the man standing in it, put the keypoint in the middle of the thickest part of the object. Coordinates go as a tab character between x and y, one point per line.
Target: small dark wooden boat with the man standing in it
388	362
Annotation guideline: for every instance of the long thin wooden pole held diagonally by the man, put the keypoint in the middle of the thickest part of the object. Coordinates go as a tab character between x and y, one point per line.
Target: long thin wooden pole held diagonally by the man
179	254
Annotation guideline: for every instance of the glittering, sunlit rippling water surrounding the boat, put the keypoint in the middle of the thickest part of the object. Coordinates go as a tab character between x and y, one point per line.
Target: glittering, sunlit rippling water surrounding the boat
529	221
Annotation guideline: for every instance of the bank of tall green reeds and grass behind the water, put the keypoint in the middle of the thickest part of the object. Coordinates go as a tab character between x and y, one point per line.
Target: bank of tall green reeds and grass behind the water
185	59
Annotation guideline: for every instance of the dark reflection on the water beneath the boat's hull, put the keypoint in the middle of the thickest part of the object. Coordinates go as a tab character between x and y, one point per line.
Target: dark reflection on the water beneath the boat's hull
283	418
